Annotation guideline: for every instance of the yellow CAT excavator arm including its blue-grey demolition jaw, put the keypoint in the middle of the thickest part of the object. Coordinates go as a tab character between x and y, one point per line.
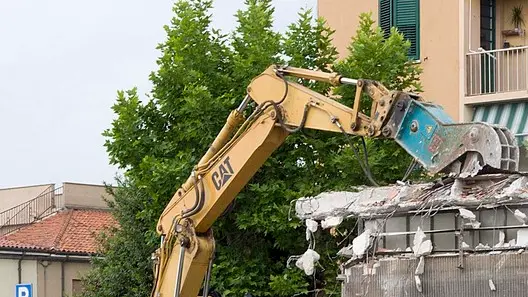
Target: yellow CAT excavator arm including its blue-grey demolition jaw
183	262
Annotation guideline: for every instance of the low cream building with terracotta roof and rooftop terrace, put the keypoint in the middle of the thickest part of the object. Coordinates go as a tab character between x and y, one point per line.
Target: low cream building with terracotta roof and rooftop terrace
47	236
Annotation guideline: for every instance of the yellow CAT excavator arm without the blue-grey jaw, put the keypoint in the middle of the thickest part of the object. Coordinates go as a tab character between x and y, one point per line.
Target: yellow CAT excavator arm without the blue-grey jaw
234	157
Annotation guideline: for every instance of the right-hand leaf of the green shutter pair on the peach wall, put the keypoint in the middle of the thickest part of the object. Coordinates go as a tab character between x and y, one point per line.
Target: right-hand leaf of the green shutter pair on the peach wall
407	20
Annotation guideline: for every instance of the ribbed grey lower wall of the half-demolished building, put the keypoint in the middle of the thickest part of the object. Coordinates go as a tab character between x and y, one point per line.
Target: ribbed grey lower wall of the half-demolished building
393	277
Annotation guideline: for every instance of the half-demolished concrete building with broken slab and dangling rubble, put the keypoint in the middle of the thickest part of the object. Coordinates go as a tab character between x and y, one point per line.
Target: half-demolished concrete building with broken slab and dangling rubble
456	238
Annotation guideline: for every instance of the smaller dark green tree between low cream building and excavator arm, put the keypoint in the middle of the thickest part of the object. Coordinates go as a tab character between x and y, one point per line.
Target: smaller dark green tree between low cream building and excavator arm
125	269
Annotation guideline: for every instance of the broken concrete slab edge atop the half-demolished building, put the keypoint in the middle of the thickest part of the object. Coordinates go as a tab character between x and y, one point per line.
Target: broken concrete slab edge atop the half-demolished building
372	201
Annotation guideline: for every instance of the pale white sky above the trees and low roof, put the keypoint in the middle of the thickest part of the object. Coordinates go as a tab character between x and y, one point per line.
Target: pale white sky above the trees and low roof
61	63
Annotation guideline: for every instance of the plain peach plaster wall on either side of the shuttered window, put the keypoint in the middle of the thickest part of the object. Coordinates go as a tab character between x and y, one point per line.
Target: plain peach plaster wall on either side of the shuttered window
440	44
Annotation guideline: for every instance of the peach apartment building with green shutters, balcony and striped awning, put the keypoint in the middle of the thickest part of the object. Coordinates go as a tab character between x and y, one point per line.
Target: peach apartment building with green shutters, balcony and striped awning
474	60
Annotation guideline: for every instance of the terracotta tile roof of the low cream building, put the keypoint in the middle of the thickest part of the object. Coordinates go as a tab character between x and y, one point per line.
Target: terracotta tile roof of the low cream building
68	231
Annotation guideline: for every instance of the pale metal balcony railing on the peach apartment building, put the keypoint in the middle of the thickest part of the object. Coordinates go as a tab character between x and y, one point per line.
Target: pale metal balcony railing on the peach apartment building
497	71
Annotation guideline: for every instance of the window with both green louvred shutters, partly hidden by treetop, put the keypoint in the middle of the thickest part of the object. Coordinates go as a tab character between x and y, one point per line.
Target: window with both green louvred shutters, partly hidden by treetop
404	15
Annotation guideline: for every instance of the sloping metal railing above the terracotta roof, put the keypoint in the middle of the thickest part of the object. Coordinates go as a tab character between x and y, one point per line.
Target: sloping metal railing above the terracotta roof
39	207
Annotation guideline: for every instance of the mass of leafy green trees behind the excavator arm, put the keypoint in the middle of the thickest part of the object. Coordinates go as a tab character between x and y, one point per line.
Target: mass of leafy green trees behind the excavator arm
202	74
